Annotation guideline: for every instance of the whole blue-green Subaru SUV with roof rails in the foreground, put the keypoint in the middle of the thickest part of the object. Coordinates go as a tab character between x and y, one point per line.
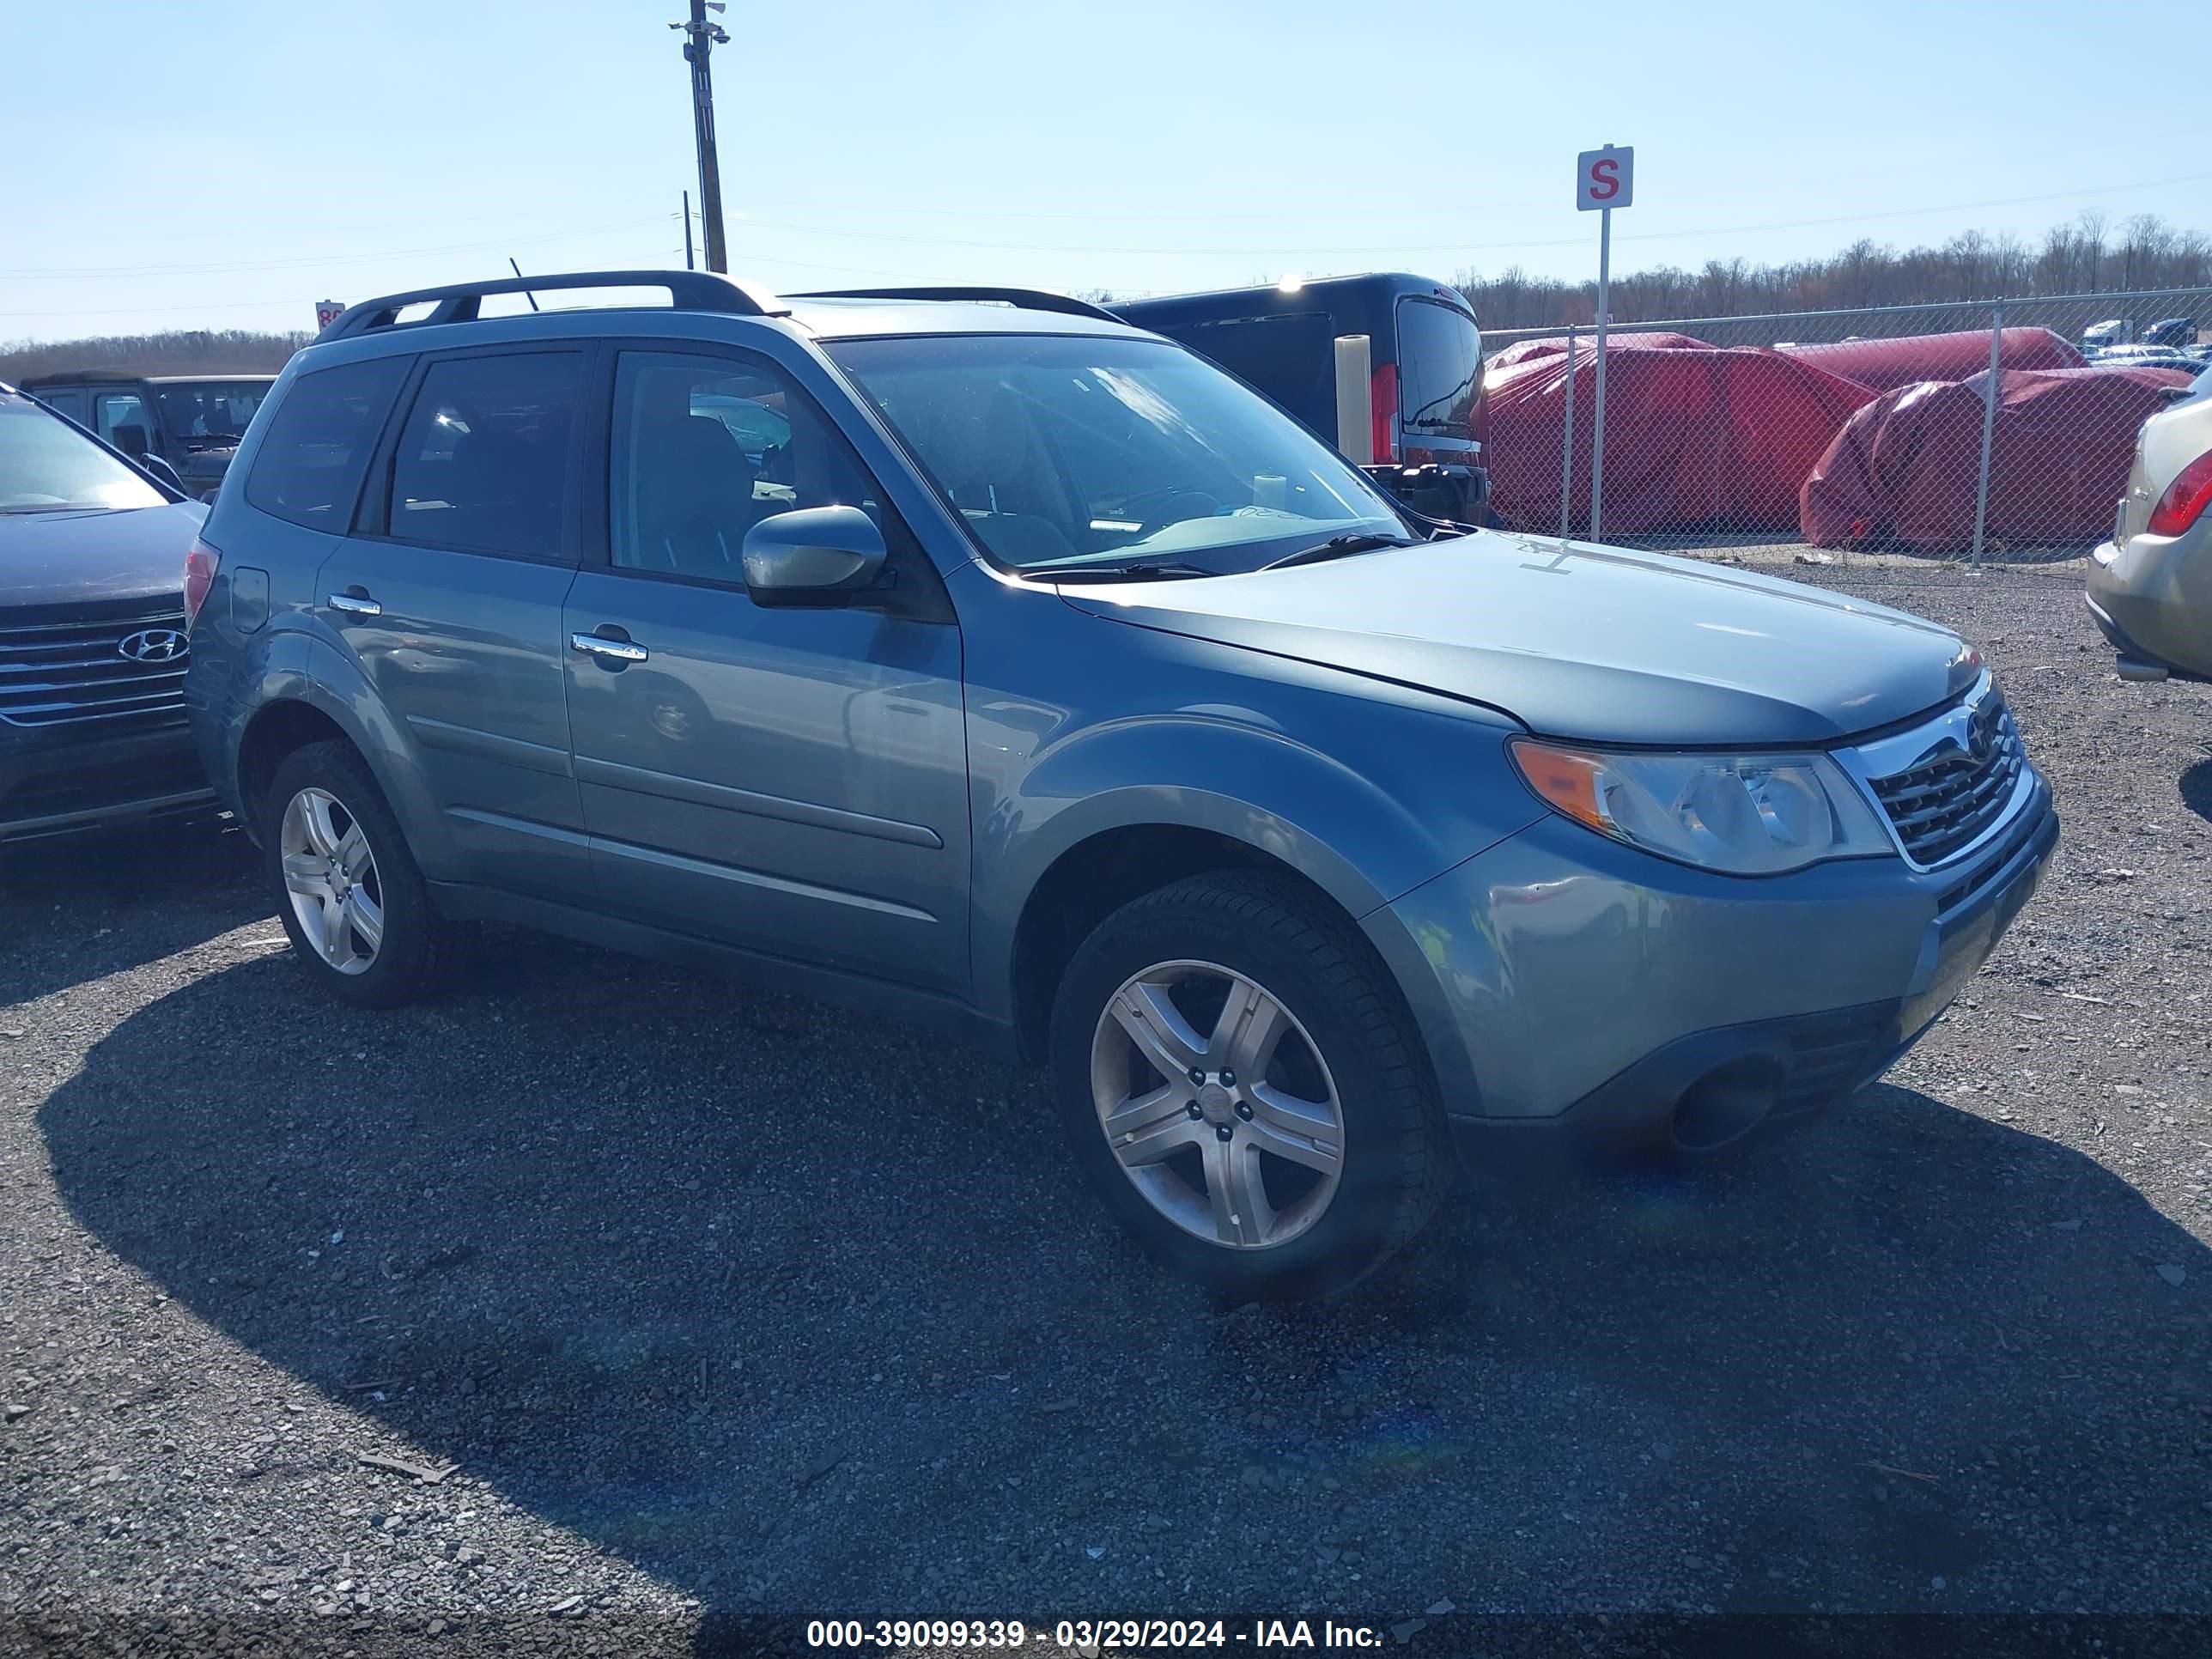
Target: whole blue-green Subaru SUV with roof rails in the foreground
974	658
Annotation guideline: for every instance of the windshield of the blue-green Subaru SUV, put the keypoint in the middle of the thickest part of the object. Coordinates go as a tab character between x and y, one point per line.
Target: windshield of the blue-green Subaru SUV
1092	452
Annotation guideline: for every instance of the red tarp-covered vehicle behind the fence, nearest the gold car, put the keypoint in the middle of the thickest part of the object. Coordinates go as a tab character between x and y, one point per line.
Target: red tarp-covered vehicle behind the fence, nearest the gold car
1906	468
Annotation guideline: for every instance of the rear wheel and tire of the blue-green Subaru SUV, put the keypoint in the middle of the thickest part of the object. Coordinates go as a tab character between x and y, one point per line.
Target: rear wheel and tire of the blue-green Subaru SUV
346	886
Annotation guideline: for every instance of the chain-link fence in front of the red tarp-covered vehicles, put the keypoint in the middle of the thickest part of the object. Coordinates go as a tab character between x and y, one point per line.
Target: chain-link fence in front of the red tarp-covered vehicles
1976	430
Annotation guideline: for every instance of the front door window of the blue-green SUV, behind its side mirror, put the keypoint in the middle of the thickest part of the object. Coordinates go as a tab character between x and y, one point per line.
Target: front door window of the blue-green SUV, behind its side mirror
705	448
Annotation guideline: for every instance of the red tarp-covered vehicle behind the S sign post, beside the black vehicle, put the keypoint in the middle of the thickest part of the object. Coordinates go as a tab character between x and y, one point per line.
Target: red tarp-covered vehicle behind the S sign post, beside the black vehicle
1693	437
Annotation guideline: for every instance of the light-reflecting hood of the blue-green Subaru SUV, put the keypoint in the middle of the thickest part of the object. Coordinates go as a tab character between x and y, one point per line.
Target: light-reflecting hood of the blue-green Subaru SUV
1578	640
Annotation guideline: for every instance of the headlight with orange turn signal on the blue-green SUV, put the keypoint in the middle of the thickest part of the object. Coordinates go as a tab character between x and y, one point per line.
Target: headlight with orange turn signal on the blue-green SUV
1746	815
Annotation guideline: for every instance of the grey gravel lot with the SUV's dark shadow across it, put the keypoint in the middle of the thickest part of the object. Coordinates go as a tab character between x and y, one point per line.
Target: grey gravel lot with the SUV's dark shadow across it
722	1304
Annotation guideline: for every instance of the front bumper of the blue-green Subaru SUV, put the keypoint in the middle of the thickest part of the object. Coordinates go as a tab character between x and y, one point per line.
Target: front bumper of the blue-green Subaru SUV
1580	992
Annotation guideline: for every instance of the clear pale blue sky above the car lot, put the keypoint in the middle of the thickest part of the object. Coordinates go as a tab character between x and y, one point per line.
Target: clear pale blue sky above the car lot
227	165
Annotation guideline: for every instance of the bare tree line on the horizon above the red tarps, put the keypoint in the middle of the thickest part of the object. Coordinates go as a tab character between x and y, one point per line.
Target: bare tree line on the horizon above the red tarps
2080	258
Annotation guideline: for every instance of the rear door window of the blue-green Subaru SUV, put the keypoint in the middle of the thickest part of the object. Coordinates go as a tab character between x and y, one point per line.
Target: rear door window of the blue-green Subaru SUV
488	455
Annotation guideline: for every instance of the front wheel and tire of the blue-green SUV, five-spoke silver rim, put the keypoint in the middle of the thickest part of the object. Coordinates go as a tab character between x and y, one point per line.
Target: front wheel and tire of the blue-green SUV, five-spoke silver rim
1244	1089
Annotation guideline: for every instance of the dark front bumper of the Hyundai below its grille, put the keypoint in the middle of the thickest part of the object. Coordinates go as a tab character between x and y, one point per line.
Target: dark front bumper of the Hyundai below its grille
61	786
